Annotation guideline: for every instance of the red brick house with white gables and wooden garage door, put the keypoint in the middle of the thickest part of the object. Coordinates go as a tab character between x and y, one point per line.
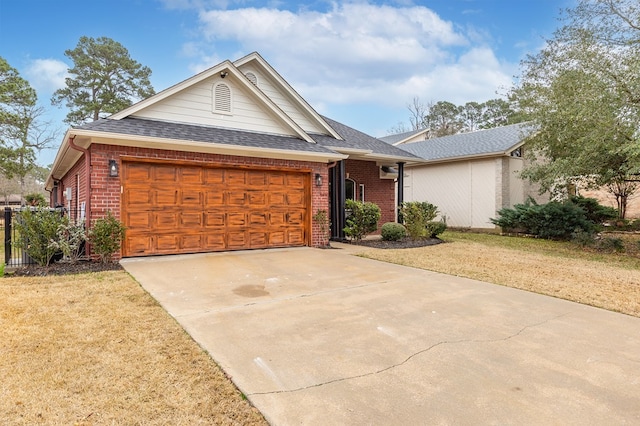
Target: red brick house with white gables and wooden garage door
232	158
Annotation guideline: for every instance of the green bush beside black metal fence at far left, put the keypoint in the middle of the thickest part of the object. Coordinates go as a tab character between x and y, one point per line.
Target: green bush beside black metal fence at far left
37	228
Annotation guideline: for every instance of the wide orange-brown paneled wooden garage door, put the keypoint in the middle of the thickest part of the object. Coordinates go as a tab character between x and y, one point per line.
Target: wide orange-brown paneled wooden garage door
186	209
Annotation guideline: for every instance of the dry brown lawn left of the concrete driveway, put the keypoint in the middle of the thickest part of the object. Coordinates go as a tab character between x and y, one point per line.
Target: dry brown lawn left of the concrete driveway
97	349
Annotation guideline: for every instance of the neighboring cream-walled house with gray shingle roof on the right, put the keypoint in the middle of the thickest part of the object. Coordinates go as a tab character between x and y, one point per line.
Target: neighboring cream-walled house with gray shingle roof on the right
470	176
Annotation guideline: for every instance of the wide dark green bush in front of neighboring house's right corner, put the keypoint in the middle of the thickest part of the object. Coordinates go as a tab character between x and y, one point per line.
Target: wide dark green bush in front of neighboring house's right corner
554	220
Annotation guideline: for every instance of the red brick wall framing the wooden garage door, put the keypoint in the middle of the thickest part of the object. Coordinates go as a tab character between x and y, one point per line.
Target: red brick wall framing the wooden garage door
106	191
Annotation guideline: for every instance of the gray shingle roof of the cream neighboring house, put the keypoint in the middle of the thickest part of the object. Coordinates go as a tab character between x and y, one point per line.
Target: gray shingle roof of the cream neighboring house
499	140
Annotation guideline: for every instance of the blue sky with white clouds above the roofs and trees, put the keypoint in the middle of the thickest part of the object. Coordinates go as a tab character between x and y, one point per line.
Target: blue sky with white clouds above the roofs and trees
358	62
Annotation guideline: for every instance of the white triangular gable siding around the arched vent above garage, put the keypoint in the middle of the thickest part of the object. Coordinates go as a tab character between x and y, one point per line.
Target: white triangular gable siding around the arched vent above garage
194	105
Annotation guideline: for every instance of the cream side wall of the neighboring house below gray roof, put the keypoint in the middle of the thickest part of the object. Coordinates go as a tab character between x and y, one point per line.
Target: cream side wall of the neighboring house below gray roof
465	191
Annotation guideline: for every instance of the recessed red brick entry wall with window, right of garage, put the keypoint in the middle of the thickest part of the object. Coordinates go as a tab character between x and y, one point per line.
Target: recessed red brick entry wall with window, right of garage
376	190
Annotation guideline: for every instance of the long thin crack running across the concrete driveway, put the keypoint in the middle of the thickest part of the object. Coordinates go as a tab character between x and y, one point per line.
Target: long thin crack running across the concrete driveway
410	357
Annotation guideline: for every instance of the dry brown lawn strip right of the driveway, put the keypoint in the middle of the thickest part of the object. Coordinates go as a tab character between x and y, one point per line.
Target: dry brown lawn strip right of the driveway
609	281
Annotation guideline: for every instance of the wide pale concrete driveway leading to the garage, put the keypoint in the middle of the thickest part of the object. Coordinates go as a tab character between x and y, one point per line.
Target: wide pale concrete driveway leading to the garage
322	337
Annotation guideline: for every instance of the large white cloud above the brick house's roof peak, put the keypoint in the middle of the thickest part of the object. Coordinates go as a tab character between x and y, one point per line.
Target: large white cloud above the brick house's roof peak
360	53
